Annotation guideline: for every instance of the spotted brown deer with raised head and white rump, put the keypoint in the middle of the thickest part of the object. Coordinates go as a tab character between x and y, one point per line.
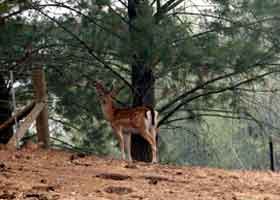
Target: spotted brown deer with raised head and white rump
126	121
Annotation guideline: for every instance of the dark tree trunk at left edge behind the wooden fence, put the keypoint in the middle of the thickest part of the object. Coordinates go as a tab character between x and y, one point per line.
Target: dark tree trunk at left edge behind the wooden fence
5	111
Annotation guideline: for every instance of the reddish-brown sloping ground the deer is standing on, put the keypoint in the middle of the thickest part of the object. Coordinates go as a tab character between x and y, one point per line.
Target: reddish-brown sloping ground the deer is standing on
35	174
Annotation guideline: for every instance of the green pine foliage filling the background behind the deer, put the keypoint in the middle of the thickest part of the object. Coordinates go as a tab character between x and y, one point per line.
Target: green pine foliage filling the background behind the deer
184	49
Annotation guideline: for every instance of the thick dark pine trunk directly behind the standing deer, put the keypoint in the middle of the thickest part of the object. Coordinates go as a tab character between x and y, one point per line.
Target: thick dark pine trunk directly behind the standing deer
142	82
